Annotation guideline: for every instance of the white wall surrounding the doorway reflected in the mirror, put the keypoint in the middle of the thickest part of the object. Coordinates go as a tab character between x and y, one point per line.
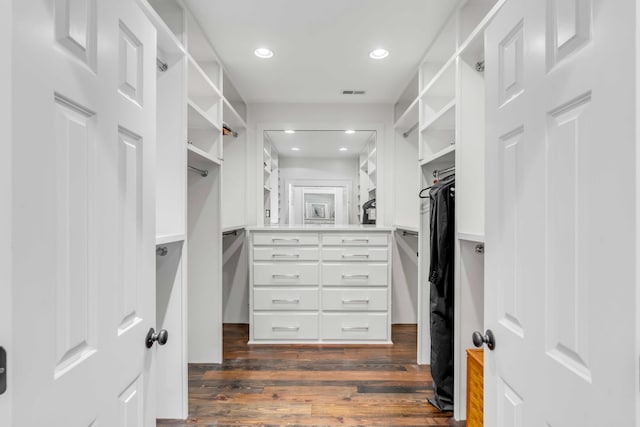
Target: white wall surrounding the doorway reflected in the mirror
325	170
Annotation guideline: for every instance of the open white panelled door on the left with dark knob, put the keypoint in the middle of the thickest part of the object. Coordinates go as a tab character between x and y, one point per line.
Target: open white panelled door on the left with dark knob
83	210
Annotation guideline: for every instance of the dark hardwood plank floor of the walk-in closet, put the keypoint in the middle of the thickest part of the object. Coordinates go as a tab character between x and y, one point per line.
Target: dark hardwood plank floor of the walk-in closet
311	385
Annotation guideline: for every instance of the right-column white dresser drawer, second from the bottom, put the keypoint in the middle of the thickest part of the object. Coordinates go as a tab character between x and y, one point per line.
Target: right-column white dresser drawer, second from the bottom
354	299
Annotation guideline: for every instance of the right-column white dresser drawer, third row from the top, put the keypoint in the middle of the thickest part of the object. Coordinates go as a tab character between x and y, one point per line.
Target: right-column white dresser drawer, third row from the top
354	274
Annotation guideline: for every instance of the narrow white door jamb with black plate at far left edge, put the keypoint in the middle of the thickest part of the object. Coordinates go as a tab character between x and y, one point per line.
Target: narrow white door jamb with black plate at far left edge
5	211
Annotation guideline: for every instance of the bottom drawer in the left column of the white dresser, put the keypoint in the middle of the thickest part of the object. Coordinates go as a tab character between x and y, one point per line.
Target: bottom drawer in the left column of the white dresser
299	326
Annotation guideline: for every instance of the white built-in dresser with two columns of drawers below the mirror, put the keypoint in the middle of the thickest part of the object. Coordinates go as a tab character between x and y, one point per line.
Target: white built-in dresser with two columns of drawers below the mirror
320	285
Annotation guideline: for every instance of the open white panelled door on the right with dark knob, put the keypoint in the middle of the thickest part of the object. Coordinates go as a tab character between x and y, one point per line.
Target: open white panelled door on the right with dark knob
560	231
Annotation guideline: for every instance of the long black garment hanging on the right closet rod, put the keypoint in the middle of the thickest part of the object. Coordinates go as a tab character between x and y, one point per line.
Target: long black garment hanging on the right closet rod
442	201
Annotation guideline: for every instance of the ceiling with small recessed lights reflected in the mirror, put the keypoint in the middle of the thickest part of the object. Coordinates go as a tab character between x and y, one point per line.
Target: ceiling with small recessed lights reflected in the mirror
319	143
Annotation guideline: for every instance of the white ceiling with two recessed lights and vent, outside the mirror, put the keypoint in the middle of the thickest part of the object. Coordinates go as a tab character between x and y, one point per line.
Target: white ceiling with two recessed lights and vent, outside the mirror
321	46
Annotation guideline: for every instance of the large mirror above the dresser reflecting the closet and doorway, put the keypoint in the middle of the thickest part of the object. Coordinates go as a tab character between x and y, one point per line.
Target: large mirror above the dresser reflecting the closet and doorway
318	177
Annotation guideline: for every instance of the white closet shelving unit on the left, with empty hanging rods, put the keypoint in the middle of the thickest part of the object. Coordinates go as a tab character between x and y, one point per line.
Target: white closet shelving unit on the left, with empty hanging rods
197	105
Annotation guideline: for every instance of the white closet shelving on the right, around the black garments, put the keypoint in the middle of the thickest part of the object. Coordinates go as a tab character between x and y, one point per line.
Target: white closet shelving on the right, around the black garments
444	125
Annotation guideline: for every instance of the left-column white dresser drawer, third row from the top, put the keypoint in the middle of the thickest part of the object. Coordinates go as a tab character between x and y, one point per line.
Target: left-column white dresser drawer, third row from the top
285	273
